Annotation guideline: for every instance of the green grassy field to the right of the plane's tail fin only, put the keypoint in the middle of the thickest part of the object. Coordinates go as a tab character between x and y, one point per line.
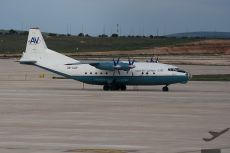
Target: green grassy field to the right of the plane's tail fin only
91	44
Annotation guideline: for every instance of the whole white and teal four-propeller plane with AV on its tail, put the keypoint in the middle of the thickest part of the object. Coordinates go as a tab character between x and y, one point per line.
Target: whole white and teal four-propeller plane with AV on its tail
113	75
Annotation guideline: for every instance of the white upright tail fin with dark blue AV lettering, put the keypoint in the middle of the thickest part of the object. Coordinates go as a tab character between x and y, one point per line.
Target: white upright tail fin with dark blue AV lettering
37	51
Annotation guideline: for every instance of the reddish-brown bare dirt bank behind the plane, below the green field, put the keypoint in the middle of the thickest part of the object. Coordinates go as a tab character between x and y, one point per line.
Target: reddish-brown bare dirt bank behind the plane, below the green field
203	47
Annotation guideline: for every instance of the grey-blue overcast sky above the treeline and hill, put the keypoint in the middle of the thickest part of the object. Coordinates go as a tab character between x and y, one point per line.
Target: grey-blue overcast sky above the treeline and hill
134	17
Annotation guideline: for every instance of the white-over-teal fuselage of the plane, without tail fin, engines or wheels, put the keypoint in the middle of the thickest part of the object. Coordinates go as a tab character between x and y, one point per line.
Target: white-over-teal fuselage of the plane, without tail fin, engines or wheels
143	73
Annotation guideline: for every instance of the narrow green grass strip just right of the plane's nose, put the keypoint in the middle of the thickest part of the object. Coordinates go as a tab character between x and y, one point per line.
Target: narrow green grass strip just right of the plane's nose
216	77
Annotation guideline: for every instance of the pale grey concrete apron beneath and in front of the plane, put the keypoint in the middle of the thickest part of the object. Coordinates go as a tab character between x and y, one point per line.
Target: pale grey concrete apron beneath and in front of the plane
43	115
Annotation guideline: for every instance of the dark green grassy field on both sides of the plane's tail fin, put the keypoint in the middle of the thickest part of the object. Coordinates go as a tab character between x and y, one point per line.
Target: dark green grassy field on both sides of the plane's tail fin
15	42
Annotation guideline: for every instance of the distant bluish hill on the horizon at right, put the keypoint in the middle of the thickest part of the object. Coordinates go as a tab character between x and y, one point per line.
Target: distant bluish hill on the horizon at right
202	34
